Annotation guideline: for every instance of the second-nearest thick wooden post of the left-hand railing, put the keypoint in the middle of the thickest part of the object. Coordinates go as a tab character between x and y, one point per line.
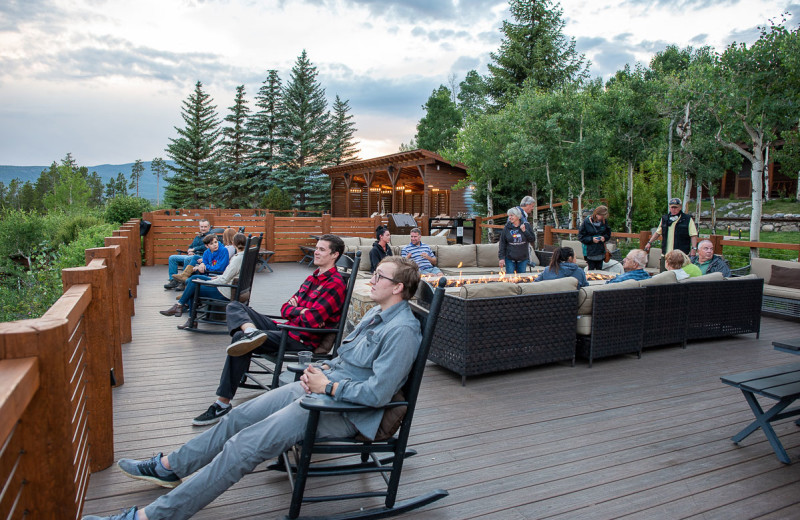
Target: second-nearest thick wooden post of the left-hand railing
99	359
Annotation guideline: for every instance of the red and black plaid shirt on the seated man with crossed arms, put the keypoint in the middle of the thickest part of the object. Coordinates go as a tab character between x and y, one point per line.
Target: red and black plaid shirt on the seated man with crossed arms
323	295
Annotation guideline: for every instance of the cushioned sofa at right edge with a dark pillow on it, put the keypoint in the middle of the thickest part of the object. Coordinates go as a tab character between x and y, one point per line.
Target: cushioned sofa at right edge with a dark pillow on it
780	300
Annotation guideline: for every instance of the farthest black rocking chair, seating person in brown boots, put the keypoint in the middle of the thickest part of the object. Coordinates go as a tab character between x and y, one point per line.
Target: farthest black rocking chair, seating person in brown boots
213	309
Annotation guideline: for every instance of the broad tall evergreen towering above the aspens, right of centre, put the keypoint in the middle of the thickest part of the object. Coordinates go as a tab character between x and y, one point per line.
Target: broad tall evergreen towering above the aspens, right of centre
533	50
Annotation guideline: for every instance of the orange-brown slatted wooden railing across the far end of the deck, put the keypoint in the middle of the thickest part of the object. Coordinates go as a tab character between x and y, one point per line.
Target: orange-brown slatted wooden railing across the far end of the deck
282	234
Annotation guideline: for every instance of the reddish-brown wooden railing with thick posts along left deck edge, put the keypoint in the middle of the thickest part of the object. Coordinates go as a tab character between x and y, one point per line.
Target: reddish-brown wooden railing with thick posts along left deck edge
56	374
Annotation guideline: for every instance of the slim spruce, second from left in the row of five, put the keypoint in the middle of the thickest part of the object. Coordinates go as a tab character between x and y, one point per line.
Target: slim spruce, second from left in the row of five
233	181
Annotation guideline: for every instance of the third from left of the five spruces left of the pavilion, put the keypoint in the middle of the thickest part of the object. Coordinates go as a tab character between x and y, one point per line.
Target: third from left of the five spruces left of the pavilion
263	133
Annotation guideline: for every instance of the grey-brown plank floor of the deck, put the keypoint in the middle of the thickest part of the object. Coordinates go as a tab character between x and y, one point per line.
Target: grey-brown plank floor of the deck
628	438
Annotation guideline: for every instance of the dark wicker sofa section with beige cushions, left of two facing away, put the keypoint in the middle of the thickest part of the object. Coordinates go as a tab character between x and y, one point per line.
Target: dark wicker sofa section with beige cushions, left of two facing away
489	328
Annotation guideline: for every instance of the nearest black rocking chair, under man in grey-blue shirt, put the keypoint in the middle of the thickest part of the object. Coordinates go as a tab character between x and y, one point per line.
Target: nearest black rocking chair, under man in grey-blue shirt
298	459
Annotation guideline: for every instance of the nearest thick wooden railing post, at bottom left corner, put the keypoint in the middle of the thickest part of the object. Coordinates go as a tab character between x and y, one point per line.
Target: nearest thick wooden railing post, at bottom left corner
44	430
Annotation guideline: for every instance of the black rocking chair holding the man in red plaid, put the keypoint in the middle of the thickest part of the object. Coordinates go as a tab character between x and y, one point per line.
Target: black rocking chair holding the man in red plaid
273	364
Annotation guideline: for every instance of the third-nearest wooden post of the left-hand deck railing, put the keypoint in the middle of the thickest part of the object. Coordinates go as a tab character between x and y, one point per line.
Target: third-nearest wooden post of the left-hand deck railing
121	327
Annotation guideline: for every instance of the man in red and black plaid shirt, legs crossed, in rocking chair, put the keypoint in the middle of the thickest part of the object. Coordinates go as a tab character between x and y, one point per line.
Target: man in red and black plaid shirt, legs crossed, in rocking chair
317	304
